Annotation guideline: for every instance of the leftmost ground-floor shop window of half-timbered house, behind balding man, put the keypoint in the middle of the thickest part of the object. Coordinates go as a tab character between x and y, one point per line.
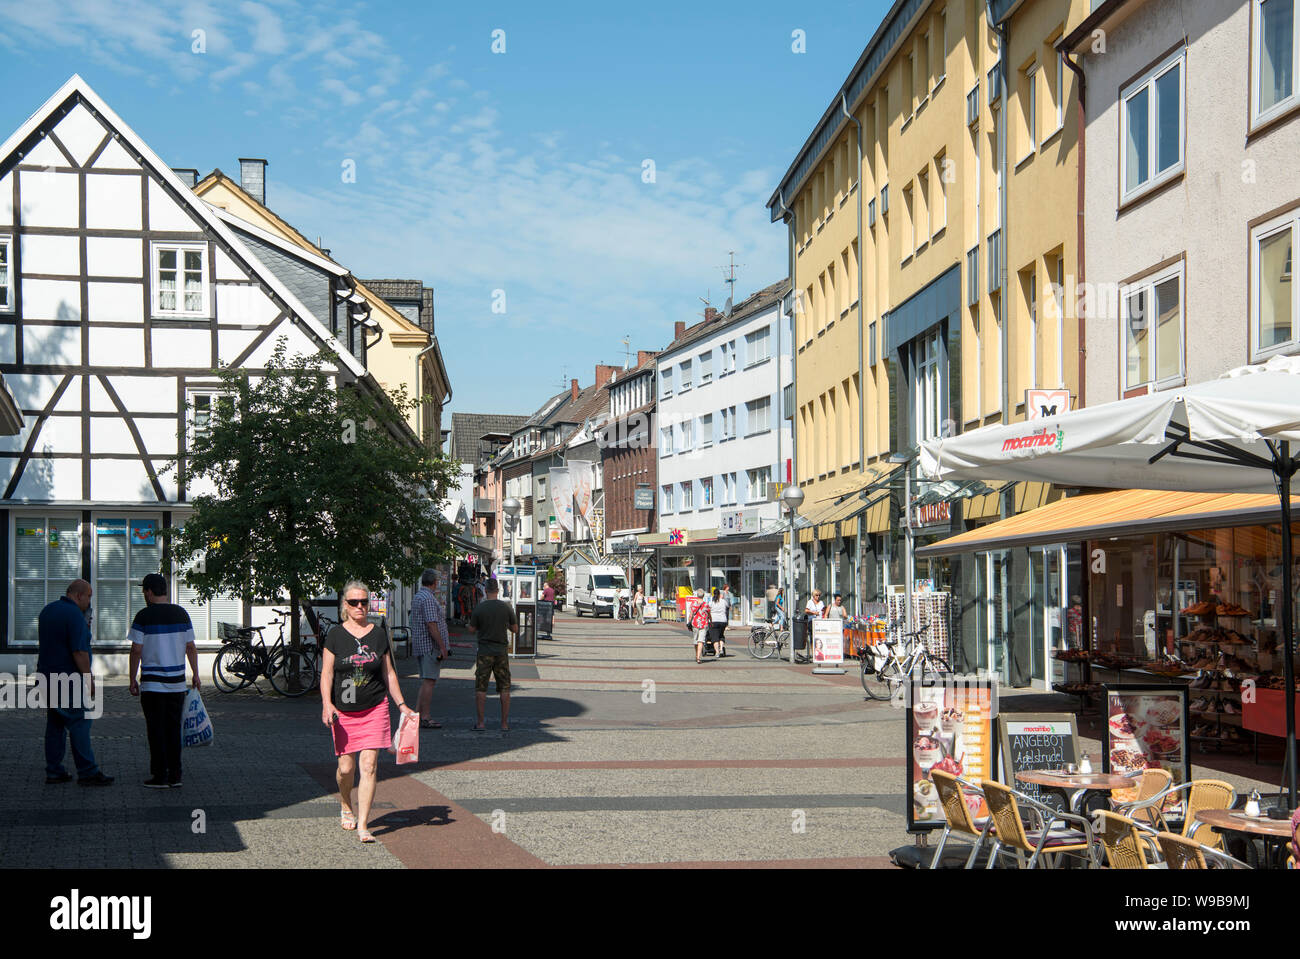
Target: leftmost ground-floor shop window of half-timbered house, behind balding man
46	558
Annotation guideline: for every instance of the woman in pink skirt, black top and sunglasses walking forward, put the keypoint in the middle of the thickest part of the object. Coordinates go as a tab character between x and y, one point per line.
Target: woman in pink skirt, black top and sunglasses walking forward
357	682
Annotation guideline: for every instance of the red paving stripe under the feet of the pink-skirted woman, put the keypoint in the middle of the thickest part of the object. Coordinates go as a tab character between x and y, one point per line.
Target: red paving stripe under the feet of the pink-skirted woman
437	834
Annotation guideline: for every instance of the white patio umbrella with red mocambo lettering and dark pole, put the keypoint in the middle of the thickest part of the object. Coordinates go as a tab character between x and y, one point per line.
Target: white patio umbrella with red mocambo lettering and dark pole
1230	435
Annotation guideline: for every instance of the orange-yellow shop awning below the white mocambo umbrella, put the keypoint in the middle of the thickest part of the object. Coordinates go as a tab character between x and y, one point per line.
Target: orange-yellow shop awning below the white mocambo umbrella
1119	513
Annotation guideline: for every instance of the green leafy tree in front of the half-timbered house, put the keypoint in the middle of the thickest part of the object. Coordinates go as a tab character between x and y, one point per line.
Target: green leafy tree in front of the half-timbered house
314	485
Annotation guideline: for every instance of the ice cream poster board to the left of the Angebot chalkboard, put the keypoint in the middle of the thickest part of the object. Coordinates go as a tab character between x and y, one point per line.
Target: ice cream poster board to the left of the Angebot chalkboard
950	728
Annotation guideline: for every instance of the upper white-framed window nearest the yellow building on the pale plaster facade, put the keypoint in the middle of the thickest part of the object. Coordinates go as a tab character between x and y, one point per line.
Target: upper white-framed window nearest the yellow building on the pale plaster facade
1151	131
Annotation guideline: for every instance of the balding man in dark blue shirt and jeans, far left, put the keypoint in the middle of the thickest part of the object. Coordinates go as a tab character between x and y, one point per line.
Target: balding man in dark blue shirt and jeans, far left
64	640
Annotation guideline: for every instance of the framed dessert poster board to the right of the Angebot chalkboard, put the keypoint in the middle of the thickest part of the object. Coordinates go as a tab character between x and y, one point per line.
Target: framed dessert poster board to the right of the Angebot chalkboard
1147	730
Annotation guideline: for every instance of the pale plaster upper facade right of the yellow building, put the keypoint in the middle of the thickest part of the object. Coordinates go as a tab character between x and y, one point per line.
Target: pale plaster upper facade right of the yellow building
1198	225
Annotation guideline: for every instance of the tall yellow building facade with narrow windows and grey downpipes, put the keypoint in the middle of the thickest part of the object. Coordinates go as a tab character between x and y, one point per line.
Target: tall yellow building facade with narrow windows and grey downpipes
933	285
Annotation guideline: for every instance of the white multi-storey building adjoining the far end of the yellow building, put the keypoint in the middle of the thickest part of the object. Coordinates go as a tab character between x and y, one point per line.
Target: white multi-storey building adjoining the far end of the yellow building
723	452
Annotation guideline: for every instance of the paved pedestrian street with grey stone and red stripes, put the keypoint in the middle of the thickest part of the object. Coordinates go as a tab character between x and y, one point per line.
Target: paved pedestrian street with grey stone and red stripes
622	753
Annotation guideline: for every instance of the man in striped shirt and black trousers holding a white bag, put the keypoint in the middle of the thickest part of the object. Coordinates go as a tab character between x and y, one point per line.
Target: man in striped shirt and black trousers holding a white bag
162	640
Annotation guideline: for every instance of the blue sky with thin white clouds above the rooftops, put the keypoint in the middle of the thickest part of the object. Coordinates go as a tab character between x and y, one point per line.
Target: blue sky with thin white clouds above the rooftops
478	171
